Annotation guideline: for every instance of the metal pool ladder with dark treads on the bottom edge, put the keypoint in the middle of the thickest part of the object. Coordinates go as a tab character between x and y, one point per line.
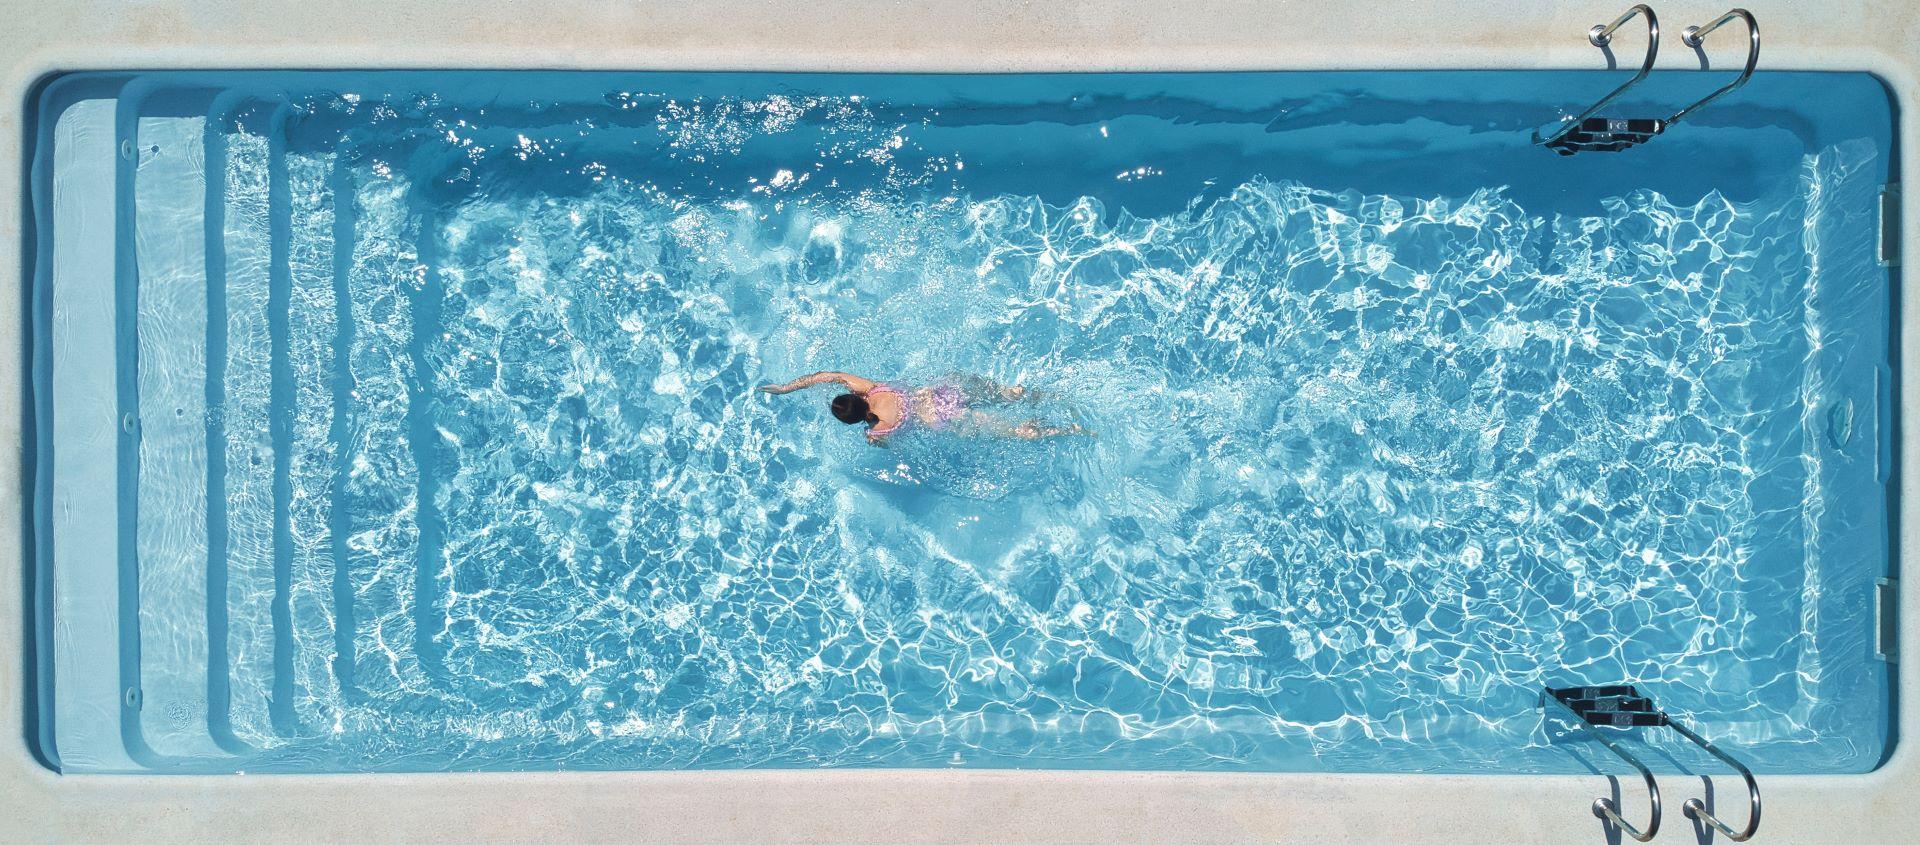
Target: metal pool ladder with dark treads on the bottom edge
1595	708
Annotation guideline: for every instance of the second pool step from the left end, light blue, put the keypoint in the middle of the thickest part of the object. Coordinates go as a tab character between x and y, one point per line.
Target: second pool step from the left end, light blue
162	278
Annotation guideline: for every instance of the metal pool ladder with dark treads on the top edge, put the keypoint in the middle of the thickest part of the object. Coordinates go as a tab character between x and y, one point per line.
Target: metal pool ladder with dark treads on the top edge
1593	133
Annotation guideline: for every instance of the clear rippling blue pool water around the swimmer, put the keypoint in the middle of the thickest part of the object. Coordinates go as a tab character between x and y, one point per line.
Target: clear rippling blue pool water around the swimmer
1397	420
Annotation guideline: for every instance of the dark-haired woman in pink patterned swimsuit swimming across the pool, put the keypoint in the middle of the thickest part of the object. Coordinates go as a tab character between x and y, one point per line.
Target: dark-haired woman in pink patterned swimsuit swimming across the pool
951	404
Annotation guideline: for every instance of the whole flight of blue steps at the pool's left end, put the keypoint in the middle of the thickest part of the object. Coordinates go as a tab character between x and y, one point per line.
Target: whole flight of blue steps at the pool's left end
203	345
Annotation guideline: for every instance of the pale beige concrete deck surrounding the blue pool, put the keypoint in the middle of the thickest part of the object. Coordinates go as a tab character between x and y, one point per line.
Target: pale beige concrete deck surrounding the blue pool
896	806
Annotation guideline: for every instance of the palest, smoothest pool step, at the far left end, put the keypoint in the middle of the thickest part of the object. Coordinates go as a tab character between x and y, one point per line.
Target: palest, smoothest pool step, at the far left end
84	675
